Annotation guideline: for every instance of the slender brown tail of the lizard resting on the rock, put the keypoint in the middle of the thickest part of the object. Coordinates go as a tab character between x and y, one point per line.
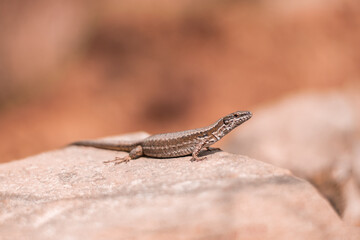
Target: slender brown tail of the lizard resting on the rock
118	146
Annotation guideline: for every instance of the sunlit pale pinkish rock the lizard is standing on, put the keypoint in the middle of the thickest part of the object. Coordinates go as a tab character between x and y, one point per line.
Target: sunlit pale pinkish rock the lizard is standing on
70	194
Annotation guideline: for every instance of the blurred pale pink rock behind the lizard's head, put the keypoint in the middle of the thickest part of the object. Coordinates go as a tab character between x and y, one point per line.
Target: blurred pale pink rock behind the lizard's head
316	136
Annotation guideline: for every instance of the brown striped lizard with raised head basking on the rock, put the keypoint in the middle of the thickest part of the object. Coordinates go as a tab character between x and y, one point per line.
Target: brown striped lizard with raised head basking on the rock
175	144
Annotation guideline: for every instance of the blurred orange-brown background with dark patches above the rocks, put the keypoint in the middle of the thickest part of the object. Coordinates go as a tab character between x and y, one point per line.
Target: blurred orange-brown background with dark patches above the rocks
73	70
